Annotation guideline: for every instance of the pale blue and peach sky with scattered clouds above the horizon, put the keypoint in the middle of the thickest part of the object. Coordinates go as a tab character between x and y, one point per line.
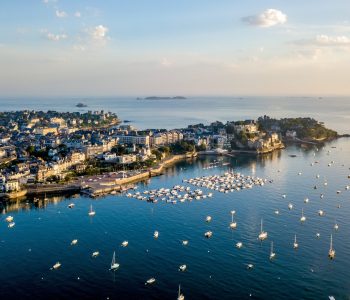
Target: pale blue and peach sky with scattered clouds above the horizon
167	47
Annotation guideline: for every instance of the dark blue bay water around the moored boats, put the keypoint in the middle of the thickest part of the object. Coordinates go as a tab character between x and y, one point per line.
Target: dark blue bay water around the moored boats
216	268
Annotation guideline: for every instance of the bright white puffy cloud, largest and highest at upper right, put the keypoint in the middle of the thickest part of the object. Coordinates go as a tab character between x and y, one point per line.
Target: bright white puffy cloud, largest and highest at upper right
268	18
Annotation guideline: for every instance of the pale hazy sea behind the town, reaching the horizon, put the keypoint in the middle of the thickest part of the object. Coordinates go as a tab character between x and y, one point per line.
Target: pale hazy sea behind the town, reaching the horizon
335	112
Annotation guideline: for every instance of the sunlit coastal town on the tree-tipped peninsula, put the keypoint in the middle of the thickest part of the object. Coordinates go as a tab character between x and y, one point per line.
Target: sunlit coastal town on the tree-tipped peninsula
42	151
